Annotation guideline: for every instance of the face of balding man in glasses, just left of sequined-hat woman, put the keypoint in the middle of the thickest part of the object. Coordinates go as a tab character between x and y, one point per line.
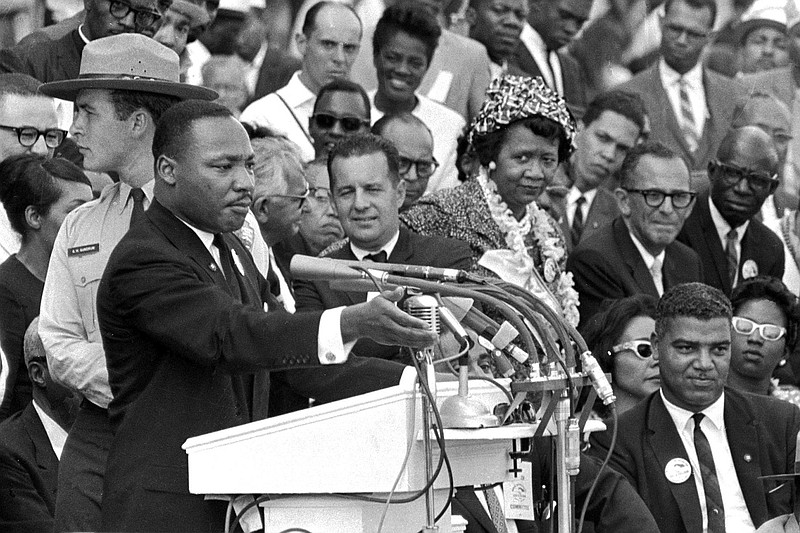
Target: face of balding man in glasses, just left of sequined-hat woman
414	143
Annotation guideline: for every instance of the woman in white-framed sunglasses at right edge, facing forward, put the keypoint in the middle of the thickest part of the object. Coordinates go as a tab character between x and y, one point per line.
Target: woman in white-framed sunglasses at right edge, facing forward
764	333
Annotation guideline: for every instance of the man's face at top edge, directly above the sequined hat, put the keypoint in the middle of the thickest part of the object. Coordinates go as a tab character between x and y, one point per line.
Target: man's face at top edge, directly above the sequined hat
498	24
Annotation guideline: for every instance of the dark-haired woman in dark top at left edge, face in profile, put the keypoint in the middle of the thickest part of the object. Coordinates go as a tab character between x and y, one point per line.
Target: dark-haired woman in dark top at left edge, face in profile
37	194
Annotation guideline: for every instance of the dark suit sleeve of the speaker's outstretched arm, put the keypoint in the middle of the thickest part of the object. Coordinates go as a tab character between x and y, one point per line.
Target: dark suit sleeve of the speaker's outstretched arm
164	298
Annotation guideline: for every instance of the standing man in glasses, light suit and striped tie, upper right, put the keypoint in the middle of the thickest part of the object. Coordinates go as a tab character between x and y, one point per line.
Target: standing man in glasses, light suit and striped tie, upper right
690	107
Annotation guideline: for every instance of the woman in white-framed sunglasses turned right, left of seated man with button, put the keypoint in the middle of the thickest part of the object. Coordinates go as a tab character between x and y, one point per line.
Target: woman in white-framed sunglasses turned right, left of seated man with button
619	338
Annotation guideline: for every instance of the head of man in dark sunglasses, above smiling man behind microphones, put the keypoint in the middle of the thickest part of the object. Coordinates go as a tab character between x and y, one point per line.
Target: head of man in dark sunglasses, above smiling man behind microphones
341	108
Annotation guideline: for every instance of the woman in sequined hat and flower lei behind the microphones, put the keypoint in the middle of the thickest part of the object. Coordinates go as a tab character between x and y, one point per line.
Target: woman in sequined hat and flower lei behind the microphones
521	134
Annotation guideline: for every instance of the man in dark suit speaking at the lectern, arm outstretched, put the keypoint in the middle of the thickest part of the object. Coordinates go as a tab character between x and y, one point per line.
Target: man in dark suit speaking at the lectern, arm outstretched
181	311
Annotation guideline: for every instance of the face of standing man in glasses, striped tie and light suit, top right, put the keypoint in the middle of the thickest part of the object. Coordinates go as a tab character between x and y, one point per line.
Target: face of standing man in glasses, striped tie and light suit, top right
685	31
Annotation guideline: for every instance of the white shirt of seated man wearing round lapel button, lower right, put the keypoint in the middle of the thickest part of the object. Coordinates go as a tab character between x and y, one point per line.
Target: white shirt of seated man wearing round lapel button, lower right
737	517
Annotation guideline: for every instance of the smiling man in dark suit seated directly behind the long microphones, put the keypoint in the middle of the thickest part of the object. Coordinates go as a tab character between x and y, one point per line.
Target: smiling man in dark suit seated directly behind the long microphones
368	192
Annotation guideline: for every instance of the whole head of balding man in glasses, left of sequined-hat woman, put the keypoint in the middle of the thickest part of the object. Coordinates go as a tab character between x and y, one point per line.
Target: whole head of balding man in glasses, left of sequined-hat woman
414	143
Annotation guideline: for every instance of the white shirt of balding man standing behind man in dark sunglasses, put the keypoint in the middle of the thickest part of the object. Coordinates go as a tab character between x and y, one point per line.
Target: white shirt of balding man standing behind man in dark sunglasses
291	121
